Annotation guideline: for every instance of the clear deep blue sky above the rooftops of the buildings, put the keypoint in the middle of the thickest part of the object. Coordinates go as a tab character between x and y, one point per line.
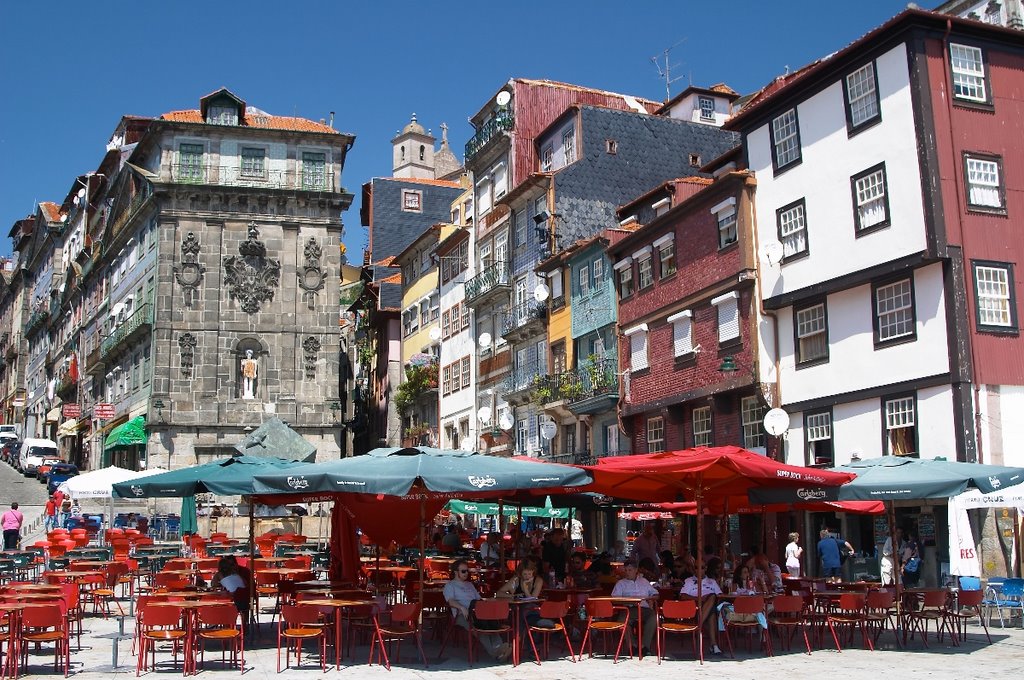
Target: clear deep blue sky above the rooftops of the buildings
72	70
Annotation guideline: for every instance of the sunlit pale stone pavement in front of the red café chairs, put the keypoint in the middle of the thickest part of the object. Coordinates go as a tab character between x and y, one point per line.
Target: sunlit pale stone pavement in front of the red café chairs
976	659
